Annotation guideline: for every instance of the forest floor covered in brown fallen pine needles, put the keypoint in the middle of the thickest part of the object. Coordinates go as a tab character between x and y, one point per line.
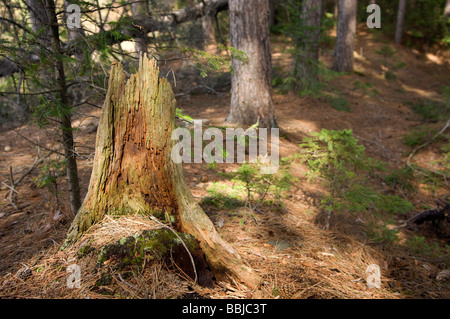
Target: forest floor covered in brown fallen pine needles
289	247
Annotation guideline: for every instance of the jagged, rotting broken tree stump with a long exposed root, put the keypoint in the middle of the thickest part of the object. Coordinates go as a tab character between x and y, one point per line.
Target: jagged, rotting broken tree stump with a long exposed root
133	170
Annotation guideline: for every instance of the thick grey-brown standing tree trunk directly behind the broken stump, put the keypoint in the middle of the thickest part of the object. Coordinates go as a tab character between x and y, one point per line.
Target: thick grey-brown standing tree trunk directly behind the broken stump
251	83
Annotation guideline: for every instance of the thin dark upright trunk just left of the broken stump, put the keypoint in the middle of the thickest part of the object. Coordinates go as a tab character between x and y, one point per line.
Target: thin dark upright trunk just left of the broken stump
66	121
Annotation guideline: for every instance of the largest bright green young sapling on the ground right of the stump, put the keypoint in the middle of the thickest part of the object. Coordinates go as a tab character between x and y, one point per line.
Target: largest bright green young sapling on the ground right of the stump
338	159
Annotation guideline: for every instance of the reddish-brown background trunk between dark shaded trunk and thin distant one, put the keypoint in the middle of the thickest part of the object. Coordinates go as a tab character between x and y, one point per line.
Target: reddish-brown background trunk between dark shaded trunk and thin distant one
345	40
